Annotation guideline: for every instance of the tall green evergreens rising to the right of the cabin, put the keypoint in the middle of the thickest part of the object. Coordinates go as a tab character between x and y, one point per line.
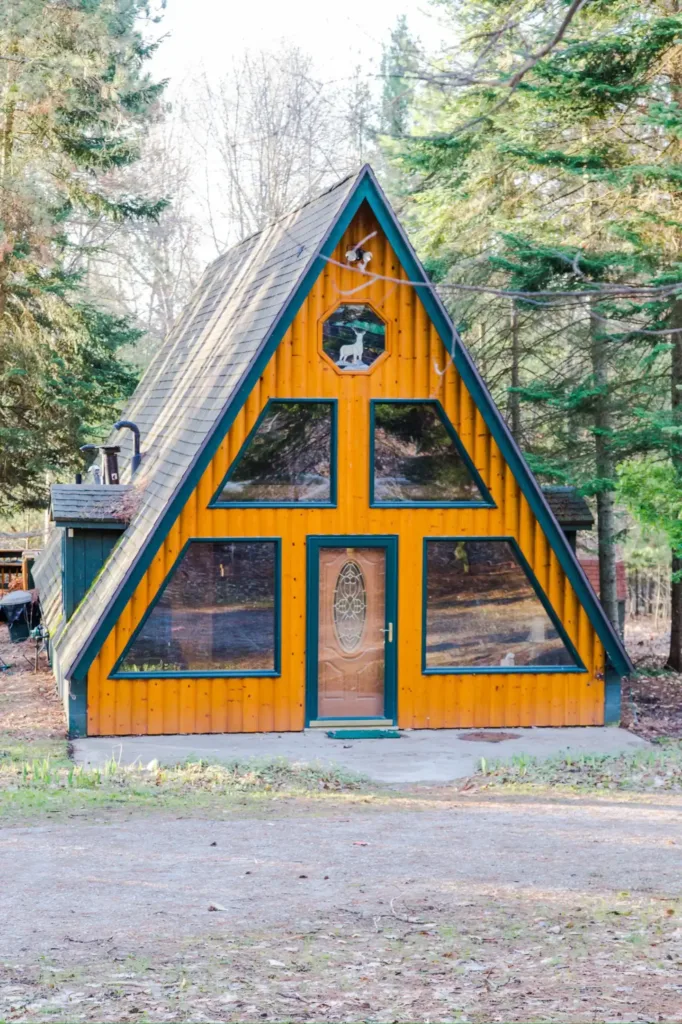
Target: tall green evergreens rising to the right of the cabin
564	181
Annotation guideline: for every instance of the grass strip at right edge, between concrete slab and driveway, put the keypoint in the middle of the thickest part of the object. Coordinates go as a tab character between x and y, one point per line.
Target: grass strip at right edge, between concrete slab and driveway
659	769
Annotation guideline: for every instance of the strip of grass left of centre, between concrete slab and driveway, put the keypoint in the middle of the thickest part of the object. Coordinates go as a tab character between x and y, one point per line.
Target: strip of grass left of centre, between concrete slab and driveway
47	786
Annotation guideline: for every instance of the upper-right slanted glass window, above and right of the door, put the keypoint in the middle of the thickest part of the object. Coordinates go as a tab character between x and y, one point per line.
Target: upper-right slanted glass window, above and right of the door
417	458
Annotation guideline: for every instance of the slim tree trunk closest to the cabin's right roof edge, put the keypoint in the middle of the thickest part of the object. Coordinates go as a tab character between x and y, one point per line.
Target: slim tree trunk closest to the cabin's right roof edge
606	468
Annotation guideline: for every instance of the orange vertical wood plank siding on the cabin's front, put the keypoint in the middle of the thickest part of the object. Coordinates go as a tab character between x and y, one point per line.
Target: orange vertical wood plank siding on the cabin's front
414	369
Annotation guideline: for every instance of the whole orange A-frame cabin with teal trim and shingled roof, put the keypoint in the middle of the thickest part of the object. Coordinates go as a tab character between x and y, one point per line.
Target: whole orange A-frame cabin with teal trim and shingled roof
331	522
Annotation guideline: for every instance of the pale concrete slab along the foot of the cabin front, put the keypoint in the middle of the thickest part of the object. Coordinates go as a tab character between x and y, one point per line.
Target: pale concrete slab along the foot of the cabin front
419	756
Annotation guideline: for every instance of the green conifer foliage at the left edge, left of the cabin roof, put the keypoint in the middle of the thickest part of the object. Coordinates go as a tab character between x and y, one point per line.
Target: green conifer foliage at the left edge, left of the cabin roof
75	100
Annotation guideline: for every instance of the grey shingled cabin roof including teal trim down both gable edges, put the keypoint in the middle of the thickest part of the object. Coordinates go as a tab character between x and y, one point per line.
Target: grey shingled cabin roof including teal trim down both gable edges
202	376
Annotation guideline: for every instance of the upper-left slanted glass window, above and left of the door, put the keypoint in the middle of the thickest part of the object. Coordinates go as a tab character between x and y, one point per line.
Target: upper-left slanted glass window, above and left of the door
287	459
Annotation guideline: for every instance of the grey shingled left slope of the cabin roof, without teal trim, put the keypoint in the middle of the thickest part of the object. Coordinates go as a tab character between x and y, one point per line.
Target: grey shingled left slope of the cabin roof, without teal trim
186	391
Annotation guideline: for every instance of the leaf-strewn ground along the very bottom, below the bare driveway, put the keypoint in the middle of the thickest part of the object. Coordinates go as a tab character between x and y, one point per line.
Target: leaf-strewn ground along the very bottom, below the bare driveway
489	959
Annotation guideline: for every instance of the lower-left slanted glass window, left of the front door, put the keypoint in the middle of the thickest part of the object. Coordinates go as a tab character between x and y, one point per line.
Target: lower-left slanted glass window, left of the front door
218	613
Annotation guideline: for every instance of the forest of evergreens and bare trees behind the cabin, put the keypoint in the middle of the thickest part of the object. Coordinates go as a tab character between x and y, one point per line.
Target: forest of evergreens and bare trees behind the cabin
534	153
